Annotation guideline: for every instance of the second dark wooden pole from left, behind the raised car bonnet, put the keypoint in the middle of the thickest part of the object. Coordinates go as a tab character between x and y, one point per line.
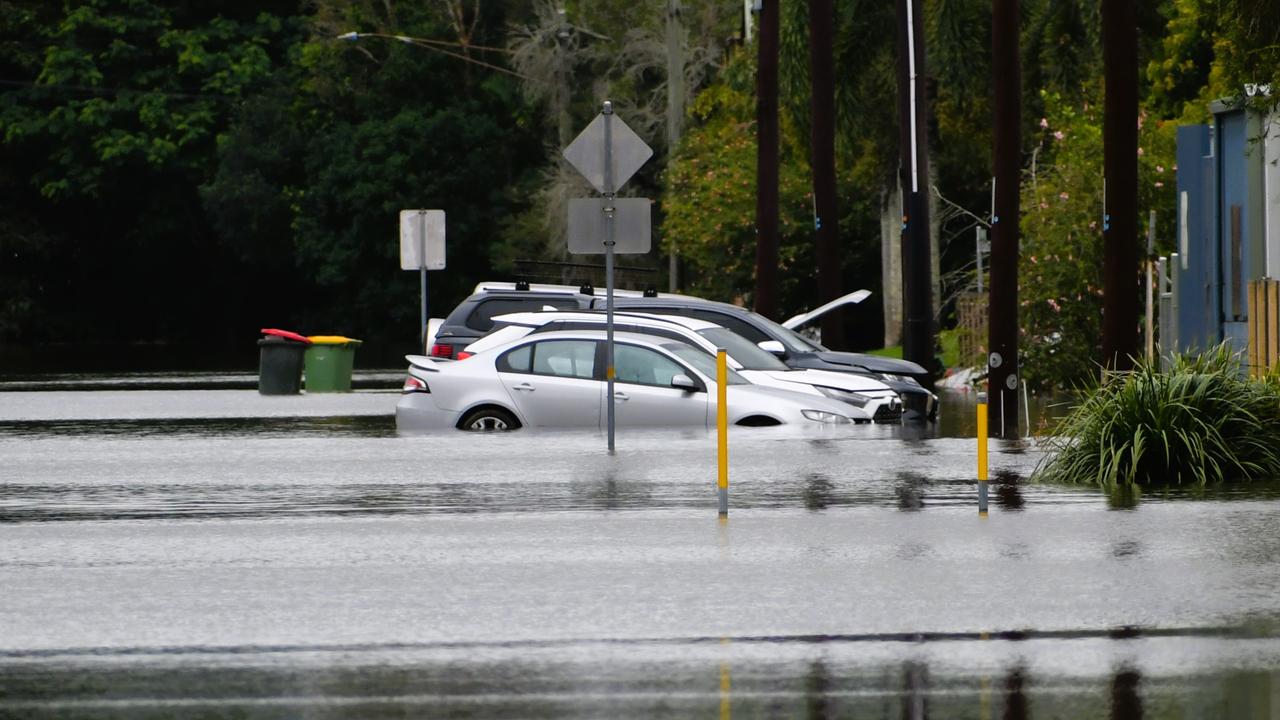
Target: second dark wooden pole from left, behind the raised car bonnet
822	161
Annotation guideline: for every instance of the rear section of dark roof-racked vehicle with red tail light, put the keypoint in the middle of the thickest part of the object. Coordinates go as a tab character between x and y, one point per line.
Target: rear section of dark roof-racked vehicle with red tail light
473	318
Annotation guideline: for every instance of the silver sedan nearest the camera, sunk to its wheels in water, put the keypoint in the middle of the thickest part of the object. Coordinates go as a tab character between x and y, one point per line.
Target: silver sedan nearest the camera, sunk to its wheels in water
557	381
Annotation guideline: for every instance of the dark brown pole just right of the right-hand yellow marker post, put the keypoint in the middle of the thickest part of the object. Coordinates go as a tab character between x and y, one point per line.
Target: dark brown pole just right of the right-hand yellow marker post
1007	166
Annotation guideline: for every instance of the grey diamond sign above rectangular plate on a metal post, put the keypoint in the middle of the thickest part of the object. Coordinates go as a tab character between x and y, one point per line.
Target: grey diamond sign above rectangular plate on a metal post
607	154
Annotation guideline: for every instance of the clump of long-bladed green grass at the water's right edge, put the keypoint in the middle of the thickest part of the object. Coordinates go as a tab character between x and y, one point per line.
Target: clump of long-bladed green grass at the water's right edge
1201	422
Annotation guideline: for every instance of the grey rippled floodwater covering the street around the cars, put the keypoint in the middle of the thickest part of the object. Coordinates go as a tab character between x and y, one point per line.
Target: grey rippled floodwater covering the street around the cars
177	553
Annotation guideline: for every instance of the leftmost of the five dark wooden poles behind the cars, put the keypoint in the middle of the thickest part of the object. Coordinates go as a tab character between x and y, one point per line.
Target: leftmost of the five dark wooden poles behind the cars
767	162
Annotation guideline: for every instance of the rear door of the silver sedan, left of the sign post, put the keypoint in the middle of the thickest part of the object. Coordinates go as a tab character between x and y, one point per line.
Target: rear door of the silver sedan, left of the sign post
554	382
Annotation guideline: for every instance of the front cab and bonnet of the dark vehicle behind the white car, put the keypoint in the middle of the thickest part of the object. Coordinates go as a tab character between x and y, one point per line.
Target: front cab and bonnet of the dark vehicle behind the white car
797	350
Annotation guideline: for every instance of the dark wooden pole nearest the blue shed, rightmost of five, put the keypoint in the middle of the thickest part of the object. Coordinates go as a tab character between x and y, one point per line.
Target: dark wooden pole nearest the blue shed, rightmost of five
1121	174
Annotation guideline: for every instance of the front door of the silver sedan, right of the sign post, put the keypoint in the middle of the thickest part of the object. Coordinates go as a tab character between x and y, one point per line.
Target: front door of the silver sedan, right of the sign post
643	394
